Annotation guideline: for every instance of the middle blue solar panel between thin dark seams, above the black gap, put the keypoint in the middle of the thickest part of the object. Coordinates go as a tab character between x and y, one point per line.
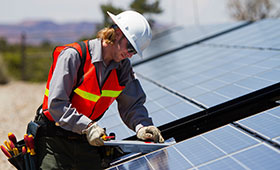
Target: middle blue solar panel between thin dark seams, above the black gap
213	75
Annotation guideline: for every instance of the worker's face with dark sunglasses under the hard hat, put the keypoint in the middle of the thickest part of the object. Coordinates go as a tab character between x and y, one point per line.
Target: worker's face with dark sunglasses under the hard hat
123	49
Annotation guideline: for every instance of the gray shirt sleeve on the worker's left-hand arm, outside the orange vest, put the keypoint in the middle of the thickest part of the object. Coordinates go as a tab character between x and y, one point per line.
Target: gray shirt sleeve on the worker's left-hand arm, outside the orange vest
61	86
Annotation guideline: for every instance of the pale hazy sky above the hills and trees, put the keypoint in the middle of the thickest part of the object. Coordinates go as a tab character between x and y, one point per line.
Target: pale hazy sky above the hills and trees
176	12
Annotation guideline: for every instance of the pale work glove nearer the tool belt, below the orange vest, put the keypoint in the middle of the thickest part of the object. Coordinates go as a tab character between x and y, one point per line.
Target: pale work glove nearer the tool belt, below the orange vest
94	134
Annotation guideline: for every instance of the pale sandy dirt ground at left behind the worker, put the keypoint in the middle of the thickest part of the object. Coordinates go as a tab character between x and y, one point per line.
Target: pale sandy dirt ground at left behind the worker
18	104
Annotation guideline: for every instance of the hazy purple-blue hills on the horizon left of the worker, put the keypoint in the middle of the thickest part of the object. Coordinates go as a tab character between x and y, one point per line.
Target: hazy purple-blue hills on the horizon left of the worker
38	32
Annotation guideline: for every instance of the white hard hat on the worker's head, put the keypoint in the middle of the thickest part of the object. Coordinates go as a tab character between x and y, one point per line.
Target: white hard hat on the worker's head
135	27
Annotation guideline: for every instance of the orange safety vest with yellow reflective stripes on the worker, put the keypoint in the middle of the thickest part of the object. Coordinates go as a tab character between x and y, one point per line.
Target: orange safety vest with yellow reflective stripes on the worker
87	97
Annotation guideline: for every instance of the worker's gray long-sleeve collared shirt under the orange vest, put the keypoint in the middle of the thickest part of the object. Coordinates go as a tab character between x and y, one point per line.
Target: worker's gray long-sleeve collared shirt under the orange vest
64	79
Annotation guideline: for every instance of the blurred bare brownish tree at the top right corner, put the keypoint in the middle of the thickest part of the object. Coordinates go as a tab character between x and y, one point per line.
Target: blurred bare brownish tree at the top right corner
252	10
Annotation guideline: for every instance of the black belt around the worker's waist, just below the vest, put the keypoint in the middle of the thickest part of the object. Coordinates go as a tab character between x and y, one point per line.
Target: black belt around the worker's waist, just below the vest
49	129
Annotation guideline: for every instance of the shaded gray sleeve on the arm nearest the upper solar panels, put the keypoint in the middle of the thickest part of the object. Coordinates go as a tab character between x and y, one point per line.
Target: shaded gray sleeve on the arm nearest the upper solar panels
131	100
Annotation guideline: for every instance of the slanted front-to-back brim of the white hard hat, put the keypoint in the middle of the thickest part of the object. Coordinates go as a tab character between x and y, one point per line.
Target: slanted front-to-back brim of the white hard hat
125	32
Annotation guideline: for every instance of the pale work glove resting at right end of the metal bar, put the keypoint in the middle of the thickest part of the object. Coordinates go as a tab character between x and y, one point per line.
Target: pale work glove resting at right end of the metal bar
150	132
